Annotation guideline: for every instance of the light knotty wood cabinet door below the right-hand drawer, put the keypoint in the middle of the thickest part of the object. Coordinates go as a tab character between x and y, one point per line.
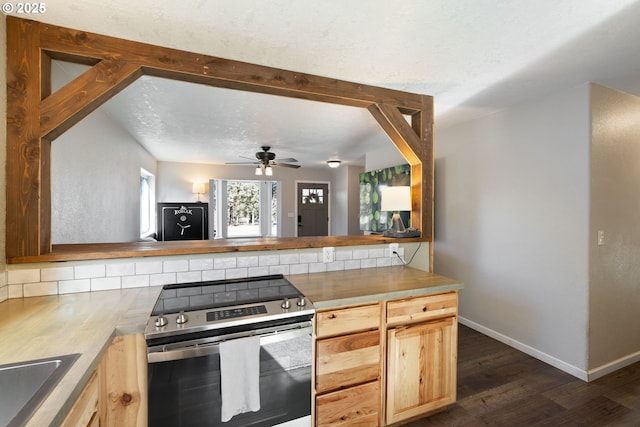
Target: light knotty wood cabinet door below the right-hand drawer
421	369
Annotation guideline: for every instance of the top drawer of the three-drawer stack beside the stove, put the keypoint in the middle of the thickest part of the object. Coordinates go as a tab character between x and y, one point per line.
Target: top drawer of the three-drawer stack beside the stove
346	320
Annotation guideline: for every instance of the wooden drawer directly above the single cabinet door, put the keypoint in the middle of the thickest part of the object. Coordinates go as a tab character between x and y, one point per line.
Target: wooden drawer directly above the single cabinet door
419	309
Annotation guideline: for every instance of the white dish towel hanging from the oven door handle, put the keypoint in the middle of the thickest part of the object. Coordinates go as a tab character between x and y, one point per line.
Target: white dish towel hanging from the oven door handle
240	376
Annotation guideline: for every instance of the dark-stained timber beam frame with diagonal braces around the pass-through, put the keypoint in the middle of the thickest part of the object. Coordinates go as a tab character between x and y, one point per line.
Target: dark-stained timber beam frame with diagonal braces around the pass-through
36	116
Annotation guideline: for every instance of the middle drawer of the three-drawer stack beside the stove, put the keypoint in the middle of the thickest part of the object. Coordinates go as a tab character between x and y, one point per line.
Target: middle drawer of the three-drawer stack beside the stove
347	360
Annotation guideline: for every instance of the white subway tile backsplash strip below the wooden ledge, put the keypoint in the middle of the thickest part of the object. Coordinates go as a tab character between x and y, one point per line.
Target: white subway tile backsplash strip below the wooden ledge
89	276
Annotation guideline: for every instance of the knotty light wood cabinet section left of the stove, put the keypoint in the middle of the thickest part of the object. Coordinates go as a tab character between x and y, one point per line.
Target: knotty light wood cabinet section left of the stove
115	394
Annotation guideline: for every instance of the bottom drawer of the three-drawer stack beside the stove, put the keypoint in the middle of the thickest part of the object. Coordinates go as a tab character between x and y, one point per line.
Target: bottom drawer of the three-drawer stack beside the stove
356	406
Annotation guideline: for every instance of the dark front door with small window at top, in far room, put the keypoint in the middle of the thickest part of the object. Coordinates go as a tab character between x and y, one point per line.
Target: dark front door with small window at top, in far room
313	209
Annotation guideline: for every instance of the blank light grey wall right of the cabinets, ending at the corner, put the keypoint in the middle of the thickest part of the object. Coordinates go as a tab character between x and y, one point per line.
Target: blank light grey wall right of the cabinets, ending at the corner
512	223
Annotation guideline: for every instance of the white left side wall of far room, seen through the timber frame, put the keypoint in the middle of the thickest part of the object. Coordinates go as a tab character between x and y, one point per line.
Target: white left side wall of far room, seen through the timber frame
95	183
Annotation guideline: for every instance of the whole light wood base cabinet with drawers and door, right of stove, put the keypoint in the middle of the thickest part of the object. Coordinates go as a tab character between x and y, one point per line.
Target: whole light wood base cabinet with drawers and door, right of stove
380	367
